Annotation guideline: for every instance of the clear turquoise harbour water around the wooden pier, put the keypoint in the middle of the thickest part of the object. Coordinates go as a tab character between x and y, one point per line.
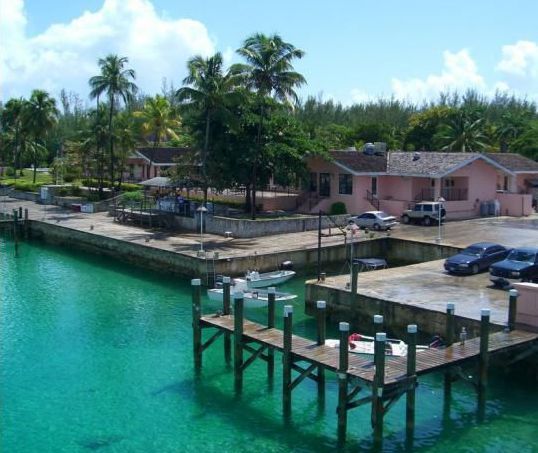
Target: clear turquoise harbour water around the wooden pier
97	356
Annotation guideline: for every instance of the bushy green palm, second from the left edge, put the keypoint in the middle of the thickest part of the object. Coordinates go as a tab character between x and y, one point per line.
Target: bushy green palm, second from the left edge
40	115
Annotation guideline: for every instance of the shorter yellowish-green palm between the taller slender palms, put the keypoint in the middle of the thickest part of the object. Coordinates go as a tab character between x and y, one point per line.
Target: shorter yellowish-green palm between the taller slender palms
159	120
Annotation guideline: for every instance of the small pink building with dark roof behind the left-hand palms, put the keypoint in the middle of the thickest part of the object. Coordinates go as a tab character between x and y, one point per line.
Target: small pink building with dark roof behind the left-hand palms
147	163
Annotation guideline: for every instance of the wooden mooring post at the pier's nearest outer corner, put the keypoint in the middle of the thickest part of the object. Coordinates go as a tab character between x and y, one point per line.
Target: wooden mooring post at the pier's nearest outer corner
377	388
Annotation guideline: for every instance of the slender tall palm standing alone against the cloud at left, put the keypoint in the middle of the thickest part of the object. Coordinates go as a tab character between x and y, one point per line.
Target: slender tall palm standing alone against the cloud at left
116	82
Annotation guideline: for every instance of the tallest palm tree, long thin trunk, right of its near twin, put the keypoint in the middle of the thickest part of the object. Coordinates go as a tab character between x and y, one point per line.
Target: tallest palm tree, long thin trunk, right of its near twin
269	71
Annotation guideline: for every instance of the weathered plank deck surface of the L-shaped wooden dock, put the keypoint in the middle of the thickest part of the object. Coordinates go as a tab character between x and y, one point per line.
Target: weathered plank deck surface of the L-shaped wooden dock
362	367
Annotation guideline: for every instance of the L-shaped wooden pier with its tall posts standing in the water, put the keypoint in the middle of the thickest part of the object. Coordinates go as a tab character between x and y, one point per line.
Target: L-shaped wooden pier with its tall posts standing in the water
380	380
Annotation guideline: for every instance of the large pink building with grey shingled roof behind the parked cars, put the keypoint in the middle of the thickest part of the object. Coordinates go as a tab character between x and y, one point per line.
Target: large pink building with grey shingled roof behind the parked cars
393	180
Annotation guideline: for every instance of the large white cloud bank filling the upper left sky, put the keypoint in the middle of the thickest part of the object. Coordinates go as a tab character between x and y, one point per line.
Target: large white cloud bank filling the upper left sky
65	55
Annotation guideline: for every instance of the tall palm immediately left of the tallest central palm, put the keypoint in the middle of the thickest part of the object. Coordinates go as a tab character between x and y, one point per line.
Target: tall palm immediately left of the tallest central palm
210	90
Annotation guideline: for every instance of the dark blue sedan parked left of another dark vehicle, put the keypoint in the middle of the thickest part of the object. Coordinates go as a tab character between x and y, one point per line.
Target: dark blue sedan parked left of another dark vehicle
475	258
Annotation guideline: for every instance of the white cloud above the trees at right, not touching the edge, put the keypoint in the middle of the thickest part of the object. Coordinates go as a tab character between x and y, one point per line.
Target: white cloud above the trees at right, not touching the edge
459	74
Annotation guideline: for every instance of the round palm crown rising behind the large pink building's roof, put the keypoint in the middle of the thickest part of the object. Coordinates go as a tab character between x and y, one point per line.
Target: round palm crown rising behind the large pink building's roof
463	133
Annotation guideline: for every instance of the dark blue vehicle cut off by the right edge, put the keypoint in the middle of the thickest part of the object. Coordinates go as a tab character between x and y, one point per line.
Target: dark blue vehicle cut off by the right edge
521	264
